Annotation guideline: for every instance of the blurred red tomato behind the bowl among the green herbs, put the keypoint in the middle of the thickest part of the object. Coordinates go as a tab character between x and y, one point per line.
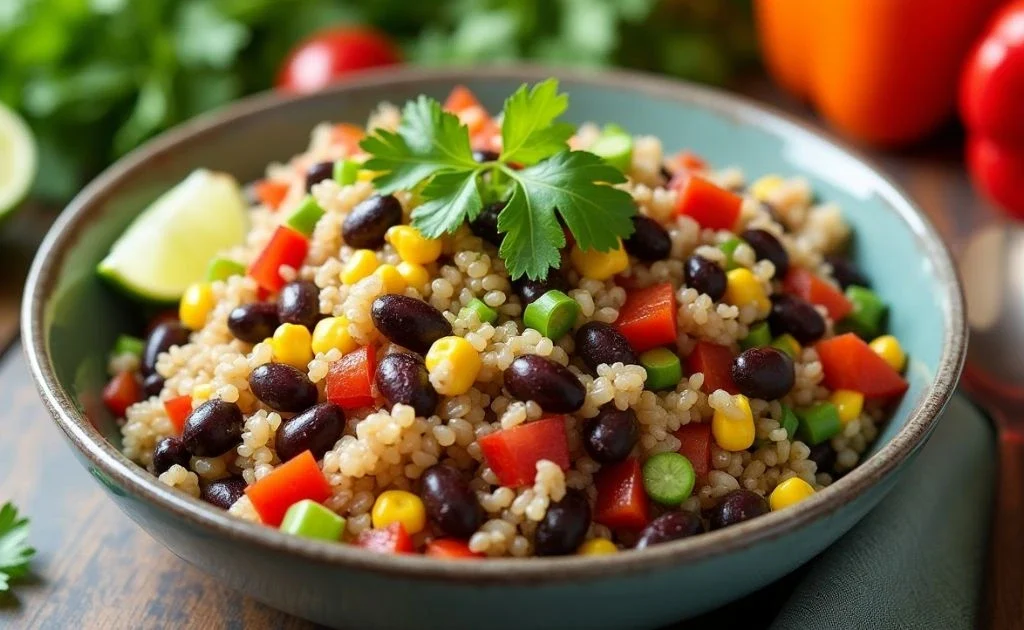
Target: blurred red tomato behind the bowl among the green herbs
330	55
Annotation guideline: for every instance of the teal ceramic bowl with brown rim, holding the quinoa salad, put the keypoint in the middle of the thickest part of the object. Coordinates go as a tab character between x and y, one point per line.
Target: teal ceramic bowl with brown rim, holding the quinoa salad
70	321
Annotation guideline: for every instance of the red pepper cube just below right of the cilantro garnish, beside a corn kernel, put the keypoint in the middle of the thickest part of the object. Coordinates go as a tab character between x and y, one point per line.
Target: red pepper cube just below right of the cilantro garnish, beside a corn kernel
648	320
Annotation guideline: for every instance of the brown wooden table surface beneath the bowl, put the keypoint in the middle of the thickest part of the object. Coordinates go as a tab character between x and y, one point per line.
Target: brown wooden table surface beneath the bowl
96	569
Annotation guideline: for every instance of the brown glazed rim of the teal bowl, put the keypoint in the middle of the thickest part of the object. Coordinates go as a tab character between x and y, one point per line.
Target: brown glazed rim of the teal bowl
138	482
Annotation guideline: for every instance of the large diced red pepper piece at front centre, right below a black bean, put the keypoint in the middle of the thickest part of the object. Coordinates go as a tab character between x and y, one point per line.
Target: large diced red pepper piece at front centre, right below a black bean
514	454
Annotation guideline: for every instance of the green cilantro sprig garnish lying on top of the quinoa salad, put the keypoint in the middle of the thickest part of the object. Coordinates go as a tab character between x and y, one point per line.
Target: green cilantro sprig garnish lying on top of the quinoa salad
537	176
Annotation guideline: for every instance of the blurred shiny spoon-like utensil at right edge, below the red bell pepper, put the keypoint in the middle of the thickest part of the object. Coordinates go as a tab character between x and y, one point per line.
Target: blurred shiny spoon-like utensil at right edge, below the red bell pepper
993	268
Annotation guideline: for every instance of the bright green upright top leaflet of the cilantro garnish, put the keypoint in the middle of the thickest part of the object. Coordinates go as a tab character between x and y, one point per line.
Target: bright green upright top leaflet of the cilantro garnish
530	133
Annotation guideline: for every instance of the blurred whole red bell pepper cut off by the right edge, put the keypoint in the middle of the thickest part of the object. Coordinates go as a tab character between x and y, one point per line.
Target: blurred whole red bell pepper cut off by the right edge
993	106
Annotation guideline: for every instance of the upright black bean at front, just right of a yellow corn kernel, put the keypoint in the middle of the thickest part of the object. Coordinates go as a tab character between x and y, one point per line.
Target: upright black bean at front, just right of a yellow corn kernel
450	502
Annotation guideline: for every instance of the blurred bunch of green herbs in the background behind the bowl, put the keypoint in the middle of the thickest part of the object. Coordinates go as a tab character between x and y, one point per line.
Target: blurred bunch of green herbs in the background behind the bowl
95	78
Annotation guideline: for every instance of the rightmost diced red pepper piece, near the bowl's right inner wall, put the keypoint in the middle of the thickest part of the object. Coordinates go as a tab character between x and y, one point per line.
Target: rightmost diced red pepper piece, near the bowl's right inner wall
849	363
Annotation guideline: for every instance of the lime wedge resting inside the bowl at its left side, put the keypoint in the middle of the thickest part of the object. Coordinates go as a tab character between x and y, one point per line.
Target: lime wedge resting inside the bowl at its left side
168	246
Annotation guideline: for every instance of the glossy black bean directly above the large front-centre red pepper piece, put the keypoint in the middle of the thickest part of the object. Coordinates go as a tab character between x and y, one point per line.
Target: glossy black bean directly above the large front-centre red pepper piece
551	386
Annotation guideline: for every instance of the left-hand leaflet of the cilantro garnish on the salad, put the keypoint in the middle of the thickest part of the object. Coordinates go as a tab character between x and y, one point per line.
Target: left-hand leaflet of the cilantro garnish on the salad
429	142
